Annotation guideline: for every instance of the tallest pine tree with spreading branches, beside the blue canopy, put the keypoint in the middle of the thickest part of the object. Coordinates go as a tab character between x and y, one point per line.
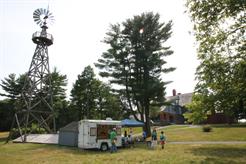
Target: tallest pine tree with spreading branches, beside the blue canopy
135	62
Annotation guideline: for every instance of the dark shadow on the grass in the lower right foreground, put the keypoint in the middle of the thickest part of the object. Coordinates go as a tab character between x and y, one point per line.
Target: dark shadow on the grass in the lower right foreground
220	152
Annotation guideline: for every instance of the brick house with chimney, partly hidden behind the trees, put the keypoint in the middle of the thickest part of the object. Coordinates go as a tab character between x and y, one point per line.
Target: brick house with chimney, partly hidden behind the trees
173	113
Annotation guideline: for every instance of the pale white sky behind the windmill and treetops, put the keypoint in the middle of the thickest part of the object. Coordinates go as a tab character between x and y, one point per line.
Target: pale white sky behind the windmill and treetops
78	31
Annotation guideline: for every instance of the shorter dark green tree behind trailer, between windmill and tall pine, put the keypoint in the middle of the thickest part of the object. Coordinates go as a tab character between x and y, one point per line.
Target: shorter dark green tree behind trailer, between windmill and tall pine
92	99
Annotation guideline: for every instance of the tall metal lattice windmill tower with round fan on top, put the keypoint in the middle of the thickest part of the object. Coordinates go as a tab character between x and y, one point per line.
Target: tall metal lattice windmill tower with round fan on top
37	102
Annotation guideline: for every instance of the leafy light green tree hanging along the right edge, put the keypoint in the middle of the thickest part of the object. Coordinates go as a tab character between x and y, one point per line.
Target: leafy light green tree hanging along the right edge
220	33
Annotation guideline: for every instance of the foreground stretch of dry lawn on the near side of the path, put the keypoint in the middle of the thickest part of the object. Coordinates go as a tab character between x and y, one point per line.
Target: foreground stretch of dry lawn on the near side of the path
37	153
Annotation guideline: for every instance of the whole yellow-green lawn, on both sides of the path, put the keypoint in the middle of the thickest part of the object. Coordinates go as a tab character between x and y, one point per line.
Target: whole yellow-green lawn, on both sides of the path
191	153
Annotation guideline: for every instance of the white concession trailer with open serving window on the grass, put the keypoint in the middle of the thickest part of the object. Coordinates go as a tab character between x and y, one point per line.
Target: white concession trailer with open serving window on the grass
95	134
